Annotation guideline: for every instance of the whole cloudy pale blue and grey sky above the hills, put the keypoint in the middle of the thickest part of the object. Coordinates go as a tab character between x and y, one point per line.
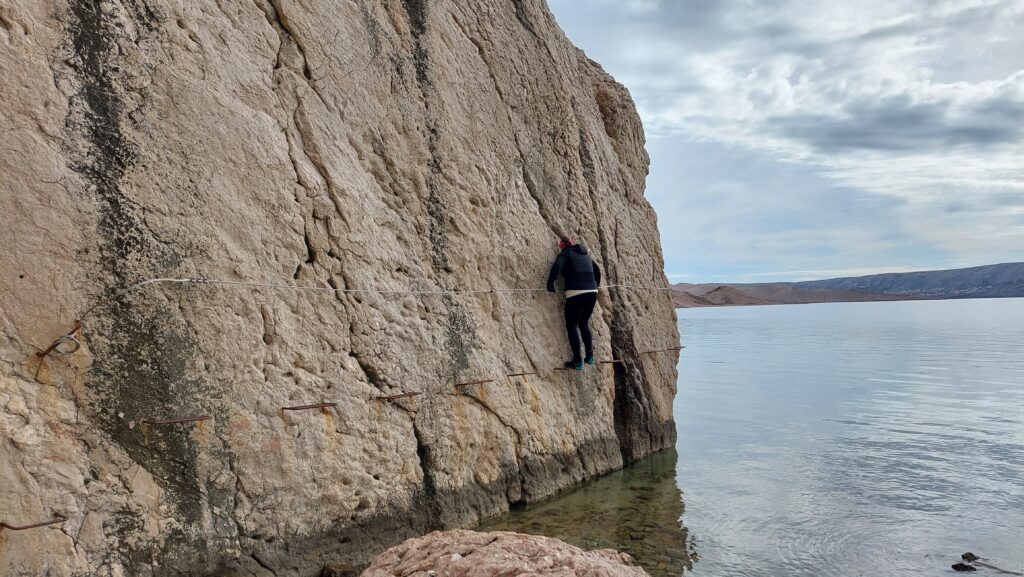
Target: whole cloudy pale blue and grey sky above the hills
795	140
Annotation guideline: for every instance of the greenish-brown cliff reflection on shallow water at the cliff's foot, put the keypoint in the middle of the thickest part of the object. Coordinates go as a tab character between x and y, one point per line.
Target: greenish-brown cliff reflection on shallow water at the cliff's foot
637	511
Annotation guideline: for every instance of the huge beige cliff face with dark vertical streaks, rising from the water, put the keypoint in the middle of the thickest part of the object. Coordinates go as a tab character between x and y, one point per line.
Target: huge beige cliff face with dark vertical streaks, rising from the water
420	145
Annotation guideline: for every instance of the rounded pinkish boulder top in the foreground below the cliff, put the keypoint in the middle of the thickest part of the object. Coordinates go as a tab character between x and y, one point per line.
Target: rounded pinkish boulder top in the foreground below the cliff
467	554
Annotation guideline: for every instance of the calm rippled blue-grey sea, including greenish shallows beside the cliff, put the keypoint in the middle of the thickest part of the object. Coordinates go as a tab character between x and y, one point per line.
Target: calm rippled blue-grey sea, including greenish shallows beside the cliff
876	439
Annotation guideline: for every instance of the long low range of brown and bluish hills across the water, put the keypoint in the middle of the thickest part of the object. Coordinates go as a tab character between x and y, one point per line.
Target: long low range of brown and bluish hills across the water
976	282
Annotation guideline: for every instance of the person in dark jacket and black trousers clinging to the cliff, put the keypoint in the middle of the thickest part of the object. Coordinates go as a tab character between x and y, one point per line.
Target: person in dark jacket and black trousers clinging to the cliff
582	277
